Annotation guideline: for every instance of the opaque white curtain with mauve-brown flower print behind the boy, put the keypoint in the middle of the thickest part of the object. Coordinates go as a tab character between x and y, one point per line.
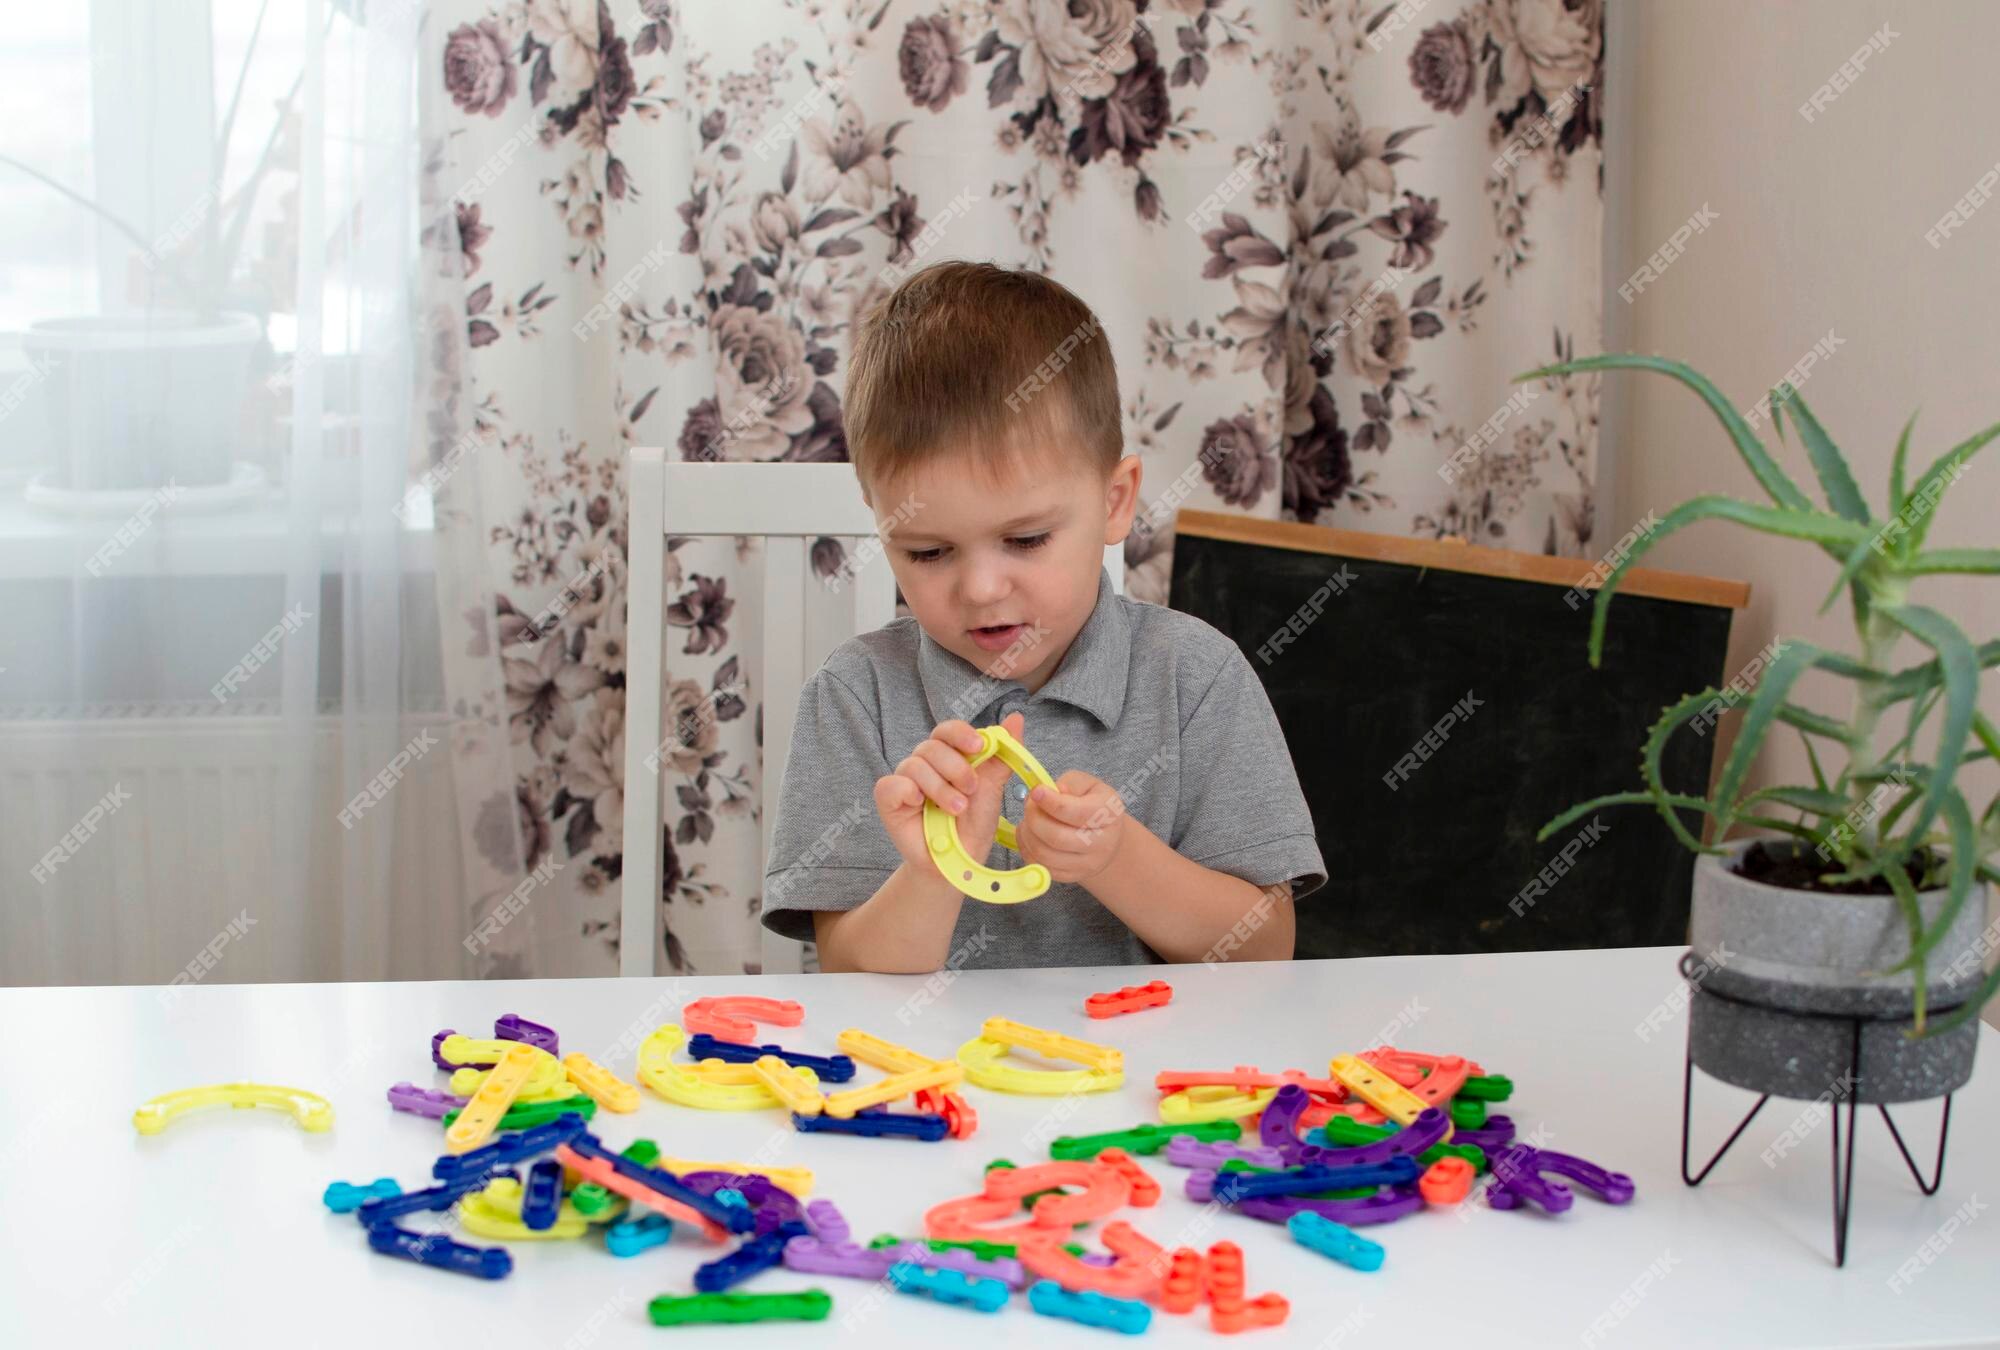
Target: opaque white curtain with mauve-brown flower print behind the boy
1323	237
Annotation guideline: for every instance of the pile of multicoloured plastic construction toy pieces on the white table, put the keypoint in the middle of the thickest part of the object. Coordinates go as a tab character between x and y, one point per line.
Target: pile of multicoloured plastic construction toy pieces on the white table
1383	1135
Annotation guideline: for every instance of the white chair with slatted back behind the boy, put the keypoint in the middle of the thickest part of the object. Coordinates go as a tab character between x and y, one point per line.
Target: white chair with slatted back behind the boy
787	507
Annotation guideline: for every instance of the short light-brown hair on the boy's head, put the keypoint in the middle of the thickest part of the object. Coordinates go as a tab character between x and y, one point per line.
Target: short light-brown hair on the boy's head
979	361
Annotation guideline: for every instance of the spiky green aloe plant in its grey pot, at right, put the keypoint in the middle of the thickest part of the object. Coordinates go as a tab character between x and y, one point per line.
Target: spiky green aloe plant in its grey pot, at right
1855	911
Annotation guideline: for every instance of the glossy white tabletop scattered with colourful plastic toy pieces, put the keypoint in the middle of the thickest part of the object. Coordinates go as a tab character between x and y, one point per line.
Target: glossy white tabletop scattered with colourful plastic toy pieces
213	1233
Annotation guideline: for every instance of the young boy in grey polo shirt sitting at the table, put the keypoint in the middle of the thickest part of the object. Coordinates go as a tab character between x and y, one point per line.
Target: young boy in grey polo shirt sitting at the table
983	421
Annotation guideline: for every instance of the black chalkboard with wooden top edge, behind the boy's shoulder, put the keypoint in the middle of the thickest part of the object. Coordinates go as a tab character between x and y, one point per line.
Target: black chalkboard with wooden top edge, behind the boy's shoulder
1443	861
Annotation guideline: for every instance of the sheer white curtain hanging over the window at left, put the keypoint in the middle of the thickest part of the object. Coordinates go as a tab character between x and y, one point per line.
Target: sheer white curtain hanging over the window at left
229	747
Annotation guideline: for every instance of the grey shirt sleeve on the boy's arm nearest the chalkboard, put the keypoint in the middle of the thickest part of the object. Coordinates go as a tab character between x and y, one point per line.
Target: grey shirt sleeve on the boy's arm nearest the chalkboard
1241	807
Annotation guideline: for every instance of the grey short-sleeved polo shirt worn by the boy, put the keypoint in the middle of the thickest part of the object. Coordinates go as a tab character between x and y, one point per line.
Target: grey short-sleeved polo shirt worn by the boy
1153	701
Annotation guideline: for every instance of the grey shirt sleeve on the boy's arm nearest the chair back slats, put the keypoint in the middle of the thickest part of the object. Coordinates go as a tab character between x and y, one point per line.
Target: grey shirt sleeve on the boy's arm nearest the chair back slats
829	849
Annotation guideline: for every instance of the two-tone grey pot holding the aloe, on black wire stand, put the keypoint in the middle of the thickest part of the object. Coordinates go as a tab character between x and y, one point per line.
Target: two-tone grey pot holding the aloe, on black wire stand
1771	963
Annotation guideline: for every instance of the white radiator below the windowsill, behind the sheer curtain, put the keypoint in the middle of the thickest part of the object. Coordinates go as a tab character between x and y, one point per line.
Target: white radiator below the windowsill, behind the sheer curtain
181	873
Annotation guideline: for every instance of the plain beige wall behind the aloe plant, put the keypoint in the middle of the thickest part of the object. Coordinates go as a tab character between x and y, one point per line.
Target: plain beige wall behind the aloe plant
1819	227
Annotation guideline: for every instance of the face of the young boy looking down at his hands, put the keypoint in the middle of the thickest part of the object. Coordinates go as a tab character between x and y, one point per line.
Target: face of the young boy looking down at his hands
1005	573
